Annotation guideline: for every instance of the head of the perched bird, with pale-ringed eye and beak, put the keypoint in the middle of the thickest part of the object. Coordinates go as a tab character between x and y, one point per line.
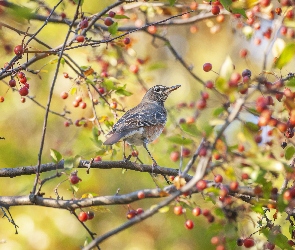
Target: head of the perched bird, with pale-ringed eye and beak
159	93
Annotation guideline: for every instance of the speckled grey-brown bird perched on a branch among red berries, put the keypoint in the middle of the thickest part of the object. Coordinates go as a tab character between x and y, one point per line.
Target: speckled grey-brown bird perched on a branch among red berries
142	124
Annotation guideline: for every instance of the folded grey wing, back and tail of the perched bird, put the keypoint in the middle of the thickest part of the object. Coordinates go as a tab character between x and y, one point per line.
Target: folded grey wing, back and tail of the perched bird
145	114
